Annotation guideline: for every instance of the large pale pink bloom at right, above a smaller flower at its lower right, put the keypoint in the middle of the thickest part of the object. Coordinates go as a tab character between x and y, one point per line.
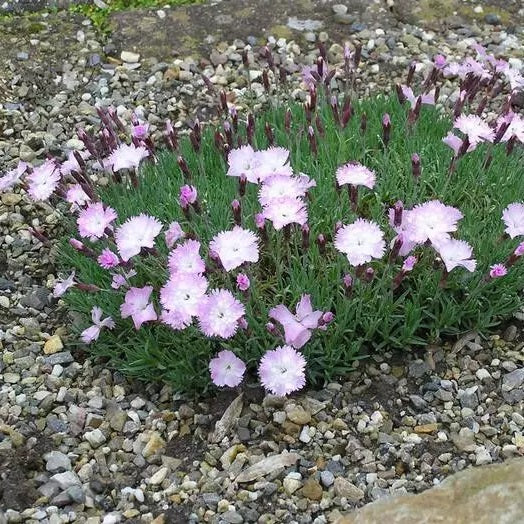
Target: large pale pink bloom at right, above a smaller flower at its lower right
432	221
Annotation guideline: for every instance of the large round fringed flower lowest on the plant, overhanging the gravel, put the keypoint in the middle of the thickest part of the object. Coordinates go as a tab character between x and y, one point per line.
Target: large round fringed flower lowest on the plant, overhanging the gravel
282	370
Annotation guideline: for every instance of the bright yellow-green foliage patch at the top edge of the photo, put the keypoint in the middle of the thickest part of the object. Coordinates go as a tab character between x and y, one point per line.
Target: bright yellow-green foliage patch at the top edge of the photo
100	15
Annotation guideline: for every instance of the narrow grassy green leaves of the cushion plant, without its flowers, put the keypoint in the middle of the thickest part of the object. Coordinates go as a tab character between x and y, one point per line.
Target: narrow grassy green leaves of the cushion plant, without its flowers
374	317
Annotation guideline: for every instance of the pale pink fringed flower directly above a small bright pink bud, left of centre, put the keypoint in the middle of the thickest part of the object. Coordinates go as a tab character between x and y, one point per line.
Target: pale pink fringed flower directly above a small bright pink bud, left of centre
235	247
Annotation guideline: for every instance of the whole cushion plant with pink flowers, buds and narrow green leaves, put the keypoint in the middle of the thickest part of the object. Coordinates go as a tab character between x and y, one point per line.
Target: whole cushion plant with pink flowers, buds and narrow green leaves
290	243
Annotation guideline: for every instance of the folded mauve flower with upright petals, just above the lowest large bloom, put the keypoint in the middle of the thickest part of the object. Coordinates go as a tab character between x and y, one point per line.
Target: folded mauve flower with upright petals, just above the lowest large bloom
297	328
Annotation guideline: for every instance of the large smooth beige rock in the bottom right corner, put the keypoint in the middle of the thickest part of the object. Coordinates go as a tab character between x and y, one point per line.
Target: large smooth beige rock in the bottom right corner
488	495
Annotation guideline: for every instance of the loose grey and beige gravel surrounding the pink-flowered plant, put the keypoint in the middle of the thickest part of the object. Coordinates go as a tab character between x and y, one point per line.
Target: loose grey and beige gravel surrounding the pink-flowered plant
79	443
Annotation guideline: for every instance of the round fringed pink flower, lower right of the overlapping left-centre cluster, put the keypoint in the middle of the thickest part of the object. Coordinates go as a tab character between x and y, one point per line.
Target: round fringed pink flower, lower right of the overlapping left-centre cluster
219	314
